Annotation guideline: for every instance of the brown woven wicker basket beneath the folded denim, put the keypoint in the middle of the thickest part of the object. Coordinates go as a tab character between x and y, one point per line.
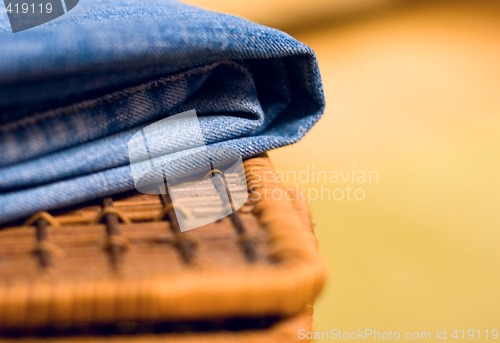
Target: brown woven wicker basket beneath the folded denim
115	270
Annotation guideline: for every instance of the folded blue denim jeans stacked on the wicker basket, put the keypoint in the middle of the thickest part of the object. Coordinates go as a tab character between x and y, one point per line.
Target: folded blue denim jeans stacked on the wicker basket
73	92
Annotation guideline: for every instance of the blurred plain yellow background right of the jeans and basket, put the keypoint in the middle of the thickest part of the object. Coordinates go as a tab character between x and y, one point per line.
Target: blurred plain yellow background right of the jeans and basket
413	95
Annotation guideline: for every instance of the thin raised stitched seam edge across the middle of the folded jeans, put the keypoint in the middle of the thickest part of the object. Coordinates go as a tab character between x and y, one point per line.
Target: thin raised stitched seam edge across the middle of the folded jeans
115	96
